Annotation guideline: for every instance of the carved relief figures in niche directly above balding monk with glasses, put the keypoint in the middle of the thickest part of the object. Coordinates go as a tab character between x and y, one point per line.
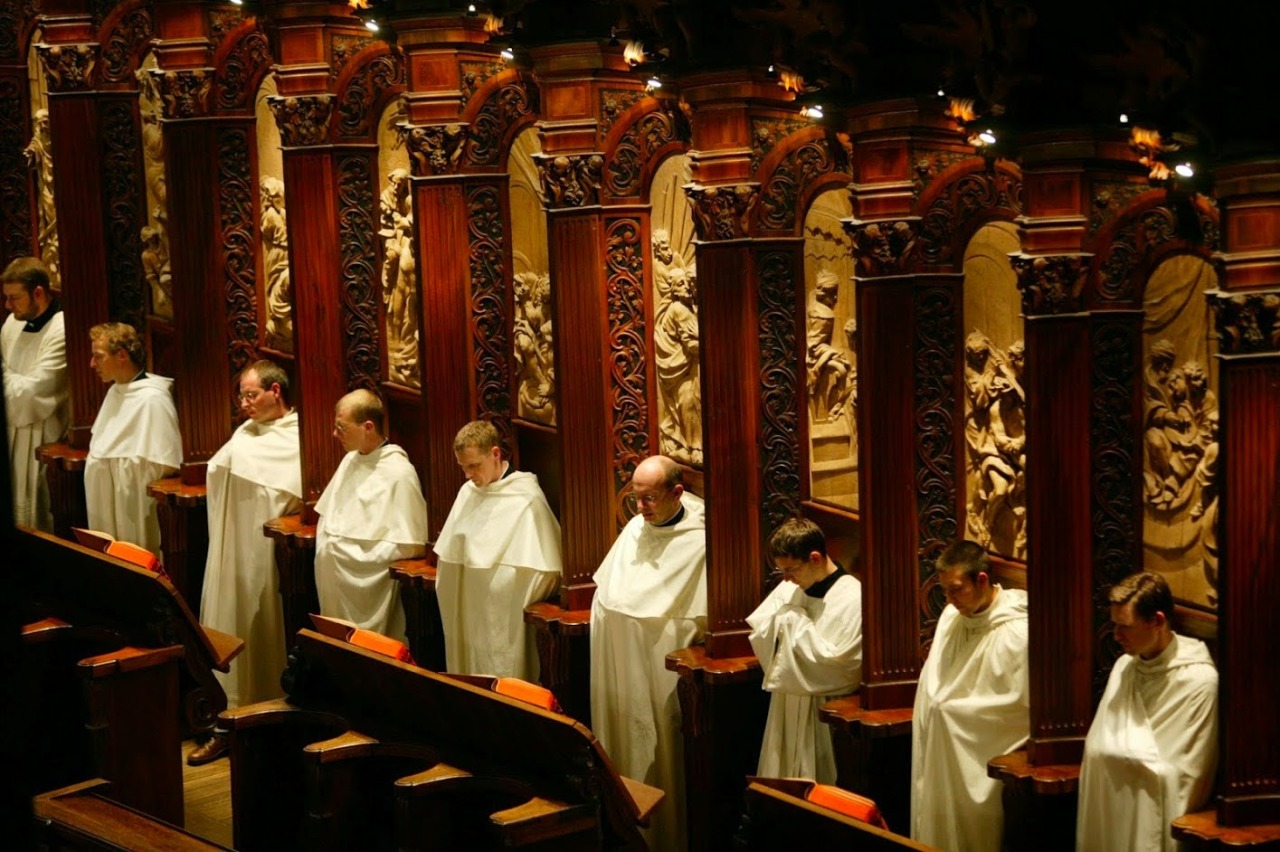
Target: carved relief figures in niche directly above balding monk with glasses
676	352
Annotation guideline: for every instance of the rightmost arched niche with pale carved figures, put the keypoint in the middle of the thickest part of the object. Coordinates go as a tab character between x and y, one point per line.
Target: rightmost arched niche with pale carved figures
1180	432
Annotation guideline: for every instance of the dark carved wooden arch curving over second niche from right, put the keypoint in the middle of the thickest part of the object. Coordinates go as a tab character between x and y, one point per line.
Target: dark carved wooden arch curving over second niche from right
967	203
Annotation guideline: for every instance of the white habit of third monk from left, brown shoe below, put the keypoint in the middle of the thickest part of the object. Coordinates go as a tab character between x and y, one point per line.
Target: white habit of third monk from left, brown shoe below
257	477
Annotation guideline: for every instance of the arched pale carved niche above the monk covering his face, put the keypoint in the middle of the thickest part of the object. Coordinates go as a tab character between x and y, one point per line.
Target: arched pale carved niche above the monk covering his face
831	347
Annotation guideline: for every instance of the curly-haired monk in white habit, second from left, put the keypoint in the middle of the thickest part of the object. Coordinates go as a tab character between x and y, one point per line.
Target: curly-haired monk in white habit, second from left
135	439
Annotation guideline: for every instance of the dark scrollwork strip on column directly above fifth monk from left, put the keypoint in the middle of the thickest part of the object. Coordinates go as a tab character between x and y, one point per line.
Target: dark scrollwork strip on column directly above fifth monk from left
491	347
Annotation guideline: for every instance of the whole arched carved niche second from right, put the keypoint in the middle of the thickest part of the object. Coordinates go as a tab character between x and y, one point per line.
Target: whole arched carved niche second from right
995	402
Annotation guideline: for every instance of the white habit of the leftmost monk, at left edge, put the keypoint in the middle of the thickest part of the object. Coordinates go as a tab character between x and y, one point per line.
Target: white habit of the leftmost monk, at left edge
35	398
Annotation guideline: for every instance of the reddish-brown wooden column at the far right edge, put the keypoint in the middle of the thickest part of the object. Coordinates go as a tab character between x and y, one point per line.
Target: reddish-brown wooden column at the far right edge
1247	313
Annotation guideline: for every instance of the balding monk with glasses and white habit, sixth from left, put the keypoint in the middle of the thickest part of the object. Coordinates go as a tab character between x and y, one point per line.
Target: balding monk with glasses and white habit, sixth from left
651	599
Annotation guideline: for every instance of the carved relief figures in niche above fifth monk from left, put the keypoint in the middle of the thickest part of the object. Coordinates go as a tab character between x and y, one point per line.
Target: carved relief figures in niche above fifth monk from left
533	342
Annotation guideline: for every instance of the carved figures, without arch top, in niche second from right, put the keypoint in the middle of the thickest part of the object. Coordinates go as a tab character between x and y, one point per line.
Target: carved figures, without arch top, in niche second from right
995	436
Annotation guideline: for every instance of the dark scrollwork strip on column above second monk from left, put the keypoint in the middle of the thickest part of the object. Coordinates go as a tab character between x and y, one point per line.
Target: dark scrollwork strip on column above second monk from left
125	200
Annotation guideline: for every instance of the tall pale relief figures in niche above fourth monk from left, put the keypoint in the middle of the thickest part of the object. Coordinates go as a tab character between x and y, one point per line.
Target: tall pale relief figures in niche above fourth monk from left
400	267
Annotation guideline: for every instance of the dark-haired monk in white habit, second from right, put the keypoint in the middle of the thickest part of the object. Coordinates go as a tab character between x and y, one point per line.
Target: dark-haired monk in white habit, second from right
971	706
